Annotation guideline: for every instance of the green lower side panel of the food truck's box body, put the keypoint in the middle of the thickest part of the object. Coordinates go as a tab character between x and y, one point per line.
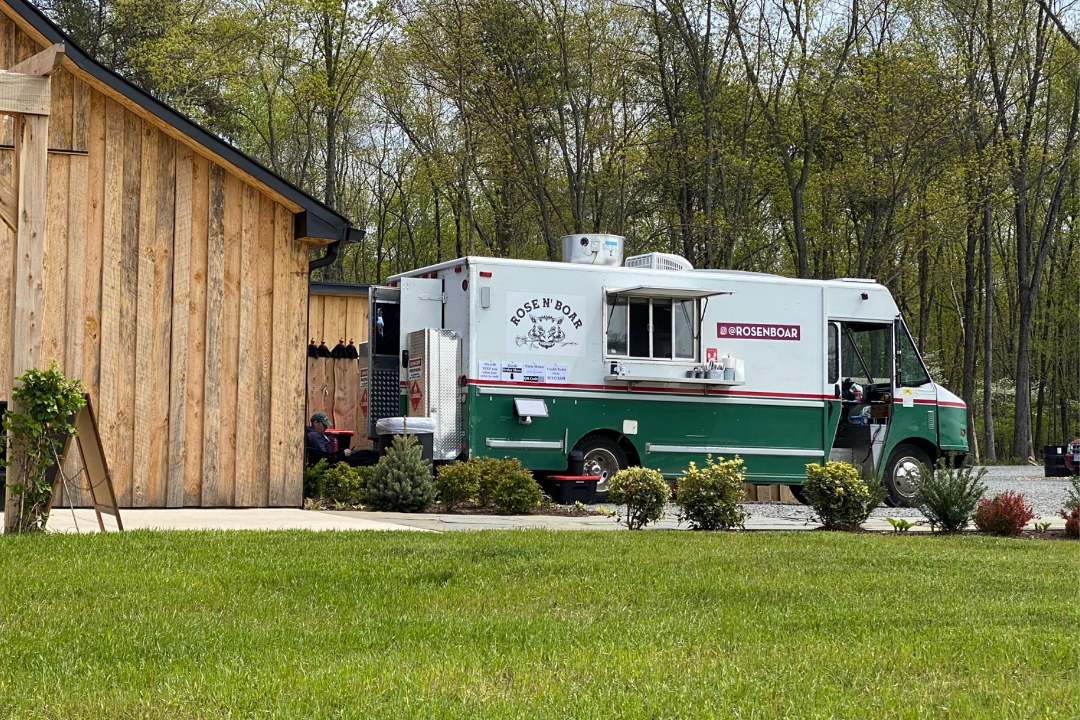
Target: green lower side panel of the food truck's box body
776	440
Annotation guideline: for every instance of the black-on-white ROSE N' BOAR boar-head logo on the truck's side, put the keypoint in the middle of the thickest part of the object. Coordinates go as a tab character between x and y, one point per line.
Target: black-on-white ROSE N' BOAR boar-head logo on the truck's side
546	323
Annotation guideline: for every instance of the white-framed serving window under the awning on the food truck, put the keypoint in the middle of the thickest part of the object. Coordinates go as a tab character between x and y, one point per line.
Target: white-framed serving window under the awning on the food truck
653	329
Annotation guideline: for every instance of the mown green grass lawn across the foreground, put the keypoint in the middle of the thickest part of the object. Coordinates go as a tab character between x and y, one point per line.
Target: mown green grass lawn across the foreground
537	624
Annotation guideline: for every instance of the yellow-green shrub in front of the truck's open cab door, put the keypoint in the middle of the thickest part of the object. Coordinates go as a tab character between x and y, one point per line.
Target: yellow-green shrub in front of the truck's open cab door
840	495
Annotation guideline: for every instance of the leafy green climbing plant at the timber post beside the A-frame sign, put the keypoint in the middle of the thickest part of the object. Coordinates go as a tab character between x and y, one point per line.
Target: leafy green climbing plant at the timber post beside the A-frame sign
39	422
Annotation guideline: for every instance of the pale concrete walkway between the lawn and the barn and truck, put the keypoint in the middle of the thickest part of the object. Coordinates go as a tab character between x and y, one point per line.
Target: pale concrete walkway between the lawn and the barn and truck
288	519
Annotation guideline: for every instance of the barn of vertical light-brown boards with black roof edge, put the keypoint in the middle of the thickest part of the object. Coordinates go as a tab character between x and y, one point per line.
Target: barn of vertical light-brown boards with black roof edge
171	278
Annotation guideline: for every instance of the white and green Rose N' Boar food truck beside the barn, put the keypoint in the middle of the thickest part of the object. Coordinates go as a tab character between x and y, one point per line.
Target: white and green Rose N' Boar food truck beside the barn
652	362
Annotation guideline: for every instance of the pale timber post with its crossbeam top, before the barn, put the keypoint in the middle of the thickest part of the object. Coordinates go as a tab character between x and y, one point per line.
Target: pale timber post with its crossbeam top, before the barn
31	175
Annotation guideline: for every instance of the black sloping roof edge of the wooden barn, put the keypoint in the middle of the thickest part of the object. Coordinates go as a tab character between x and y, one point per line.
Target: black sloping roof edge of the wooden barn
321	222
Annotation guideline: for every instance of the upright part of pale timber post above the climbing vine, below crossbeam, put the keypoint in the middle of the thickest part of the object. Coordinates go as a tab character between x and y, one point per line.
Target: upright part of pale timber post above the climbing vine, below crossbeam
32	137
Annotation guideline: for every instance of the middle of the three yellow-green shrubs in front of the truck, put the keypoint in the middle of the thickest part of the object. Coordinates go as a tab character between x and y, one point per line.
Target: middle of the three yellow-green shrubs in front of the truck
711	497
